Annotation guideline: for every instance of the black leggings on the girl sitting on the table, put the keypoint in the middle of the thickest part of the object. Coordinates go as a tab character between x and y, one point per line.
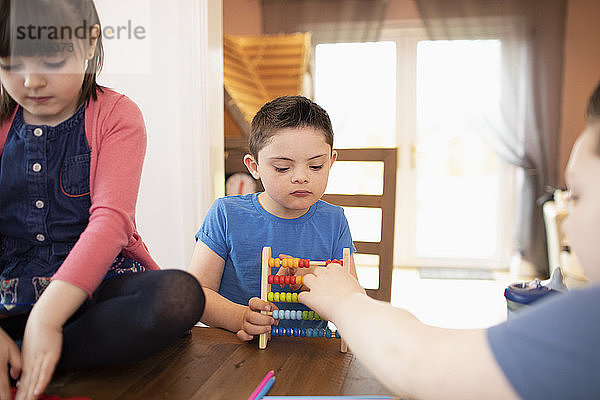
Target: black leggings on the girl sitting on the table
129	317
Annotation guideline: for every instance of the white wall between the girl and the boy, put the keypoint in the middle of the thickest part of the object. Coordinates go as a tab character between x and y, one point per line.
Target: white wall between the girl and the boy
174	74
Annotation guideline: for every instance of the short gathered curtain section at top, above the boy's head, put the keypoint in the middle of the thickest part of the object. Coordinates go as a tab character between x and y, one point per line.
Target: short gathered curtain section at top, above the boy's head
329	21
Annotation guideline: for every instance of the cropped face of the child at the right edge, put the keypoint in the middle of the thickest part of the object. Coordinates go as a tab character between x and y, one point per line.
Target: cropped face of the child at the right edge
582	225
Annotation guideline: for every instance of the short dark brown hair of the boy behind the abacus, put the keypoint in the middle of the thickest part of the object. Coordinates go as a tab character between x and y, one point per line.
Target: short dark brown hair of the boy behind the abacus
287	112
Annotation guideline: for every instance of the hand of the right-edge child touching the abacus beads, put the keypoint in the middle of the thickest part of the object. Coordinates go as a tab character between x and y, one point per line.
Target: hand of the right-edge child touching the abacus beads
328	288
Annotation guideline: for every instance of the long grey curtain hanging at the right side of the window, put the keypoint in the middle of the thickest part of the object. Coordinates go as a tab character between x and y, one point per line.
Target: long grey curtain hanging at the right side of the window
532	35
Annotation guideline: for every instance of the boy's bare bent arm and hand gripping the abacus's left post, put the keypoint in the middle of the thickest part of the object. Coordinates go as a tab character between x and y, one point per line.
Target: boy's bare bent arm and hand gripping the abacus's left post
247	321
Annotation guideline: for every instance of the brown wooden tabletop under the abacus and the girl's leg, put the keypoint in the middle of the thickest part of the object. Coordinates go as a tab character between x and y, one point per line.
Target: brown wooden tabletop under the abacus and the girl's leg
213	364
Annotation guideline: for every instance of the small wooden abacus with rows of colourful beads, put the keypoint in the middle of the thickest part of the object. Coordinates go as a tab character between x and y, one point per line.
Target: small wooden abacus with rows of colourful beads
268	279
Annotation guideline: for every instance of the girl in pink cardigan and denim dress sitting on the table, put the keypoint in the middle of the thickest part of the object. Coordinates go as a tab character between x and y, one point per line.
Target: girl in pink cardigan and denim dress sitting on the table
78	287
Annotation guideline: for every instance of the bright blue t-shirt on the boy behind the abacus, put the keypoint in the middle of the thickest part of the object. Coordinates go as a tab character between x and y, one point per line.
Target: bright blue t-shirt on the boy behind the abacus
238	227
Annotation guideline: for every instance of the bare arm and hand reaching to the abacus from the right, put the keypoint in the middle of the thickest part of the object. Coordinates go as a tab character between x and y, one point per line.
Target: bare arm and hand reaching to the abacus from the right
412	359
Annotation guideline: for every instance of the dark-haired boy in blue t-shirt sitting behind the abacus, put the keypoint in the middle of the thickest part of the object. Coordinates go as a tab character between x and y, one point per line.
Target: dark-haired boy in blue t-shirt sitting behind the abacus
291	152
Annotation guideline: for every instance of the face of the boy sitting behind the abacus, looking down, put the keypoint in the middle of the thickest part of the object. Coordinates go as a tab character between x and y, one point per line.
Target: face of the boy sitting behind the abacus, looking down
294	168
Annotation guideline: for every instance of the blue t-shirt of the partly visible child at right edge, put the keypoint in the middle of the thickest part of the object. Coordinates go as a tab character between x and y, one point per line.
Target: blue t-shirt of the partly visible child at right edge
552	351
